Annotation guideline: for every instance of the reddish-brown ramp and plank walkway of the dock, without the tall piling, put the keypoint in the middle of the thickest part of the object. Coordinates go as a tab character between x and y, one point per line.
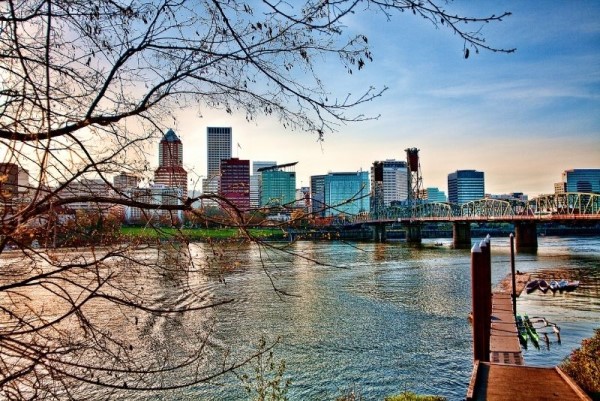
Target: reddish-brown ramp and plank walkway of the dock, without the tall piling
505	376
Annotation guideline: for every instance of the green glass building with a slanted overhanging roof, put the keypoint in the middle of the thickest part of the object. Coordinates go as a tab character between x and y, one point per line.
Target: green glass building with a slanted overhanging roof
278	185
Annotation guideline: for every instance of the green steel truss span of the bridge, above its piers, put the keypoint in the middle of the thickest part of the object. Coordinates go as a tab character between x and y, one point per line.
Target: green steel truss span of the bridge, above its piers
556	207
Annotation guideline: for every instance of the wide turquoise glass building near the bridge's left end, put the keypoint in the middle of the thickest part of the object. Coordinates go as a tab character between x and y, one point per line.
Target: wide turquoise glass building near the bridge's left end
346	193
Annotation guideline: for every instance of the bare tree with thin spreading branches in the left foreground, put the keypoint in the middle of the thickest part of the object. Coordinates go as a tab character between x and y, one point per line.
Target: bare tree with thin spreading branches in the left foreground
85	85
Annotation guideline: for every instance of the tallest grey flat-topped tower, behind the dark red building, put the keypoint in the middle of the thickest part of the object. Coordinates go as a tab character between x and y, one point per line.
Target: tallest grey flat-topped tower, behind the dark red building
218	141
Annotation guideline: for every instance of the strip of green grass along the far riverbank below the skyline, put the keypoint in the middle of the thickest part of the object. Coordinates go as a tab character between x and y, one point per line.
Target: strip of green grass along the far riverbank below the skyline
200	234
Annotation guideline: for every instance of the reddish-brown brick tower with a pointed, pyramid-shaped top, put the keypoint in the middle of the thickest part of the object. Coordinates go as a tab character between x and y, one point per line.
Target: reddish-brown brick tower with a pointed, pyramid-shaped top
170	172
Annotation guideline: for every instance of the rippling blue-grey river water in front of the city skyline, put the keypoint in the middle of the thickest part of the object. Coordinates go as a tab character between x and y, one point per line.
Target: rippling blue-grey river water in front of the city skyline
375	318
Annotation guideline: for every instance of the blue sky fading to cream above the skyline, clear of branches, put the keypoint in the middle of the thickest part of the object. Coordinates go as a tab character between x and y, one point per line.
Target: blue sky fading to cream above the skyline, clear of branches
521	118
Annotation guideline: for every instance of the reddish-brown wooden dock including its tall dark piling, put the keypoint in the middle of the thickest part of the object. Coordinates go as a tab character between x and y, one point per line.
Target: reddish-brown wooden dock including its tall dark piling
502	374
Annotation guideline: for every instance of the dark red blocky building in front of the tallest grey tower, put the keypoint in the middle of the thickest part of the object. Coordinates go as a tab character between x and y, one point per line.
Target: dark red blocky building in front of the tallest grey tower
235	182
